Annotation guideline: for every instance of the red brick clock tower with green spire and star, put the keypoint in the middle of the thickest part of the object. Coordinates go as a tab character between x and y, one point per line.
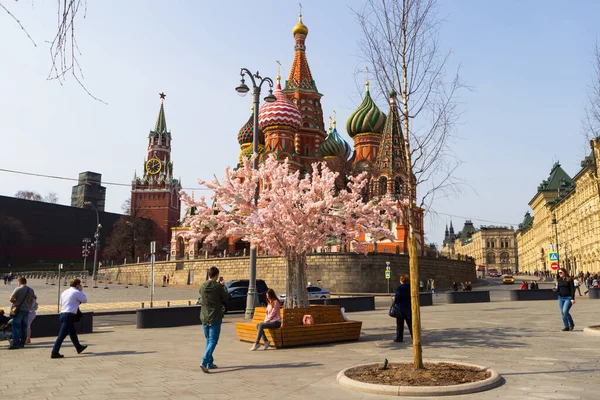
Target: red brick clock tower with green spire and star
155	195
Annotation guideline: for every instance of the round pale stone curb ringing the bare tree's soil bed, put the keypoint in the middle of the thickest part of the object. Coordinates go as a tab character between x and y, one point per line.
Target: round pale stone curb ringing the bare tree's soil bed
494	380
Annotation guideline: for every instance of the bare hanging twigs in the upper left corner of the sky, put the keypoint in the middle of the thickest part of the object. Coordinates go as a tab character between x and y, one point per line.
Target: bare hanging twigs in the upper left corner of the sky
64	50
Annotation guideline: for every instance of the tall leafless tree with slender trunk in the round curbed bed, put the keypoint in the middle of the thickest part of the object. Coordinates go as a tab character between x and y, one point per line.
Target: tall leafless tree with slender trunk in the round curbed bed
400	41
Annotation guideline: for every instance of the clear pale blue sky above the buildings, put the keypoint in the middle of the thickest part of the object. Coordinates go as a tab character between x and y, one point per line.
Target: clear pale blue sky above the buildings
528	64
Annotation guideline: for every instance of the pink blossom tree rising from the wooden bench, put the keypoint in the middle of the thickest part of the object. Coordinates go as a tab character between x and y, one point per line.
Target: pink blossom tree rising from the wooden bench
294	214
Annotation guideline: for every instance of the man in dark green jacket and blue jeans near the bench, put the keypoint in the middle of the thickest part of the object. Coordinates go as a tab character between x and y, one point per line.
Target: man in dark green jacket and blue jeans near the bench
213	295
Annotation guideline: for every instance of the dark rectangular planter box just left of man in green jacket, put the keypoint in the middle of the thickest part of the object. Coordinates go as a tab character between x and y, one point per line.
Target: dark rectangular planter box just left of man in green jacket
167	317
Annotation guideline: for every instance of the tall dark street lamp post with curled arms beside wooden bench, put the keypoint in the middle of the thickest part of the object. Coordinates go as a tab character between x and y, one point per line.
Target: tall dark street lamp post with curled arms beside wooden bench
242	89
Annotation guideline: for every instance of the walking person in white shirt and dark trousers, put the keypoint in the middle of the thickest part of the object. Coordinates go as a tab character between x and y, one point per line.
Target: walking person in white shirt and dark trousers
70	300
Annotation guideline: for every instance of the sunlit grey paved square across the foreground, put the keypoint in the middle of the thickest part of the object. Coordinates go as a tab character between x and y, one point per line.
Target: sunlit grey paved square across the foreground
521	340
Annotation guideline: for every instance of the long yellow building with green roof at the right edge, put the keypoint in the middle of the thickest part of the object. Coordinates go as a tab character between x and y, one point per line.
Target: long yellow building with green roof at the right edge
565	212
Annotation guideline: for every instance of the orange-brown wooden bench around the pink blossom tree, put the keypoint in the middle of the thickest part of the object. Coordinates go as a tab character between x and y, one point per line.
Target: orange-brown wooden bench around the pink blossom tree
329	326
